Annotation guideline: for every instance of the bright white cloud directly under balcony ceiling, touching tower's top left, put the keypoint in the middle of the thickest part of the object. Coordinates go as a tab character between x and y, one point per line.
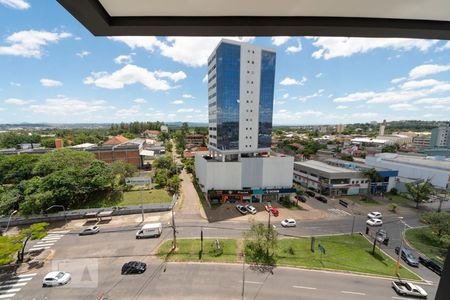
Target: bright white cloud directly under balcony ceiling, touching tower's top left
190	51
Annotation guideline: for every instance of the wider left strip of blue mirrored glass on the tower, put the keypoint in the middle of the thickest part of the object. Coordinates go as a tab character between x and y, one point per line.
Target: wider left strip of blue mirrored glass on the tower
228	83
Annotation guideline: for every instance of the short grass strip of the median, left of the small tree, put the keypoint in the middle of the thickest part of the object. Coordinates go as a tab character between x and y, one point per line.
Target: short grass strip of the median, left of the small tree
189	250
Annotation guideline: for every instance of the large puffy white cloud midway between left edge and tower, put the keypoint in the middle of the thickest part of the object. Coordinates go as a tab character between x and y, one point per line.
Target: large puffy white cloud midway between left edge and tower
129	74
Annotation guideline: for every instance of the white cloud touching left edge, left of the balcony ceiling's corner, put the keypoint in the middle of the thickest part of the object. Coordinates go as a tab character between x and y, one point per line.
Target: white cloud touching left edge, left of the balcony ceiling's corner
30	43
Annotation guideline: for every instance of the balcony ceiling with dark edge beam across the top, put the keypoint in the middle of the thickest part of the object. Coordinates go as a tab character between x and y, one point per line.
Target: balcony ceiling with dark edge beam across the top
369	18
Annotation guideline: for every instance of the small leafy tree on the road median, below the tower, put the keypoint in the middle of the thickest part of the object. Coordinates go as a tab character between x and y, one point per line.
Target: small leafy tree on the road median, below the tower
261	244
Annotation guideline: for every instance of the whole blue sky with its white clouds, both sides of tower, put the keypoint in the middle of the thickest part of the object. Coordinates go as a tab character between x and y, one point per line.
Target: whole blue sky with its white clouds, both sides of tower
53	70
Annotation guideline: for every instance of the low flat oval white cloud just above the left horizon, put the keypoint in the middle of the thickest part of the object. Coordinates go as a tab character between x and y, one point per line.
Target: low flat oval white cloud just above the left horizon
66	106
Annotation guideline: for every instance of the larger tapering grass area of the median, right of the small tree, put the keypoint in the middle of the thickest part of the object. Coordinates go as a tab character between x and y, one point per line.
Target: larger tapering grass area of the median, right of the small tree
348	253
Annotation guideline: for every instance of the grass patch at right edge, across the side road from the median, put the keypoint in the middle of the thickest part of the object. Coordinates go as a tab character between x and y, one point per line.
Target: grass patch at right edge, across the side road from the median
423	240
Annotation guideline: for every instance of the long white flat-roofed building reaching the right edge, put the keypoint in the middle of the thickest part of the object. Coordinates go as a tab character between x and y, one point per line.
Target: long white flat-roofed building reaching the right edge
412	168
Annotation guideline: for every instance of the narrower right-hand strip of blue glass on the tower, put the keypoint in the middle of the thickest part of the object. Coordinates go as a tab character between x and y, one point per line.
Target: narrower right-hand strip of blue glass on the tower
268	60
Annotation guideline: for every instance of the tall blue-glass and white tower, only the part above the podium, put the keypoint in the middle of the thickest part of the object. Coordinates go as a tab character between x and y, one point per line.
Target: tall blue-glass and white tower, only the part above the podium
240	98
